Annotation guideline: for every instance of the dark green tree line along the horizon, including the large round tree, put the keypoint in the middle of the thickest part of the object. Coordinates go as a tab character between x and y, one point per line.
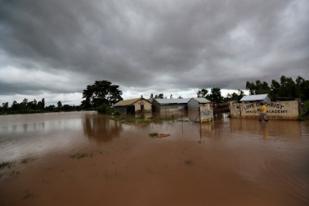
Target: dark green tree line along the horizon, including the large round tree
103	94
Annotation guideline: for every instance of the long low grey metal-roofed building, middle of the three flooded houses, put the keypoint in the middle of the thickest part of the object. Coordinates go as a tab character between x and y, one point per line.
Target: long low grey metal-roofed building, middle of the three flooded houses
164	106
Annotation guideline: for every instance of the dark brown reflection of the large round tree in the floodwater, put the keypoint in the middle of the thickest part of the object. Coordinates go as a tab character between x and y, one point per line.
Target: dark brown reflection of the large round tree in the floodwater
100	128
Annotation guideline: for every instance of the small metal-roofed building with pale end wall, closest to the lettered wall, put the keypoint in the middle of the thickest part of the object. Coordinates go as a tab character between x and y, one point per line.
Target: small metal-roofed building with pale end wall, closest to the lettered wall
200	110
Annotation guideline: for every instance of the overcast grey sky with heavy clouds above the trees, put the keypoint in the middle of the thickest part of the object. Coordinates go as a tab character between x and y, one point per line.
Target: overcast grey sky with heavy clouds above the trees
54	48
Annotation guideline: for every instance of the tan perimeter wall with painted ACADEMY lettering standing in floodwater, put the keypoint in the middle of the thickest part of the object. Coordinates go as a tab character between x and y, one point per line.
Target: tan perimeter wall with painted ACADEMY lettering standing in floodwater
275	110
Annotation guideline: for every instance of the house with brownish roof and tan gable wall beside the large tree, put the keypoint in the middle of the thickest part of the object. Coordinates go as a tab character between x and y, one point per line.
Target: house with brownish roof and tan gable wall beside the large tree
133	106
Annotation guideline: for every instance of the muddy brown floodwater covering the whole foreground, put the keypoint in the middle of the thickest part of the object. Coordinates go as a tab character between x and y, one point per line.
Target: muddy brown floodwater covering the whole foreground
82	158
